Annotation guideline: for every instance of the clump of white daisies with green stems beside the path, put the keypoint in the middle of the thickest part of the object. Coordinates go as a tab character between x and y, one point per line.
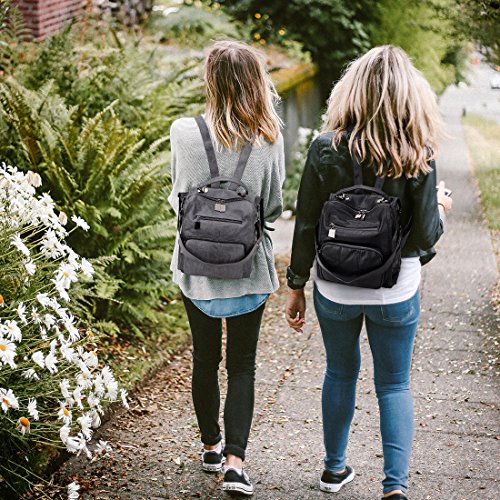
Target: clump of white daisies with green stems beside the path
52	389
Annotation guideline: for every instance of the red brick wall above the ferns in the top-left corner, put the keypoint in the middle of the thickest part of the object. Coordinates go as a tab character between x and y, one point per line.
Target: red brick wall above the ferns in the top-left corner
45	17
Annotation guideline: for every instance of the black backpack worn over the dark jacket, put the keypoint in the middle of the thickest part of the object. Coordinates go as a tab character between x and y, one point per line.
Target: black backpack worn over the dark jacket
359	235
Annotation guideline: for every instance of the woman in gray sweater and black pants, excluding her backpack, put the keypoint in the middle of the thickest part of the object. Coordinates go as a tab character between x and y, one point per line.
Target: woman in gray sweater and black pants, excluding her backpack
239	110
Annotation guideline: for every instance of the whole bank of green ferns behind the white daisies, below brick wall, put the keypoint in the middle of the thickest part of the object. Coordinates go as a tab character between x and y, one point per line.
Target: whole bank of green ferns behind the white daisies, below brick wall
94	121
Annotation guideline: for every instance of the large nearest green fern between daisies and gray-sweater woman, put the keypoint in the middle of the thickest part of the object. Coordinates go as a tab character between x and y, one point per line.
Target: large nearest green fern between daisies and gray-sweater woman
102	171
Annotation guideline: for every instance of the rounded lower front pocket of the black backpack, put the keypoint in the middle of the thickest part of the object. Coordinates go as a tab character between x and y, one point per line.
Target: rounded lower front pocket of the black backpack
349	260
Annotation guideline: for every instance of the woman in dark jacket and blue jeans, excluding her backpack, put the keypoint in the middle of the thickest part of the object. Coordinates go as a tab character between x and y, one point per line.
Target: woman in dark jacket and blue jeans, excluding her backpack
382	115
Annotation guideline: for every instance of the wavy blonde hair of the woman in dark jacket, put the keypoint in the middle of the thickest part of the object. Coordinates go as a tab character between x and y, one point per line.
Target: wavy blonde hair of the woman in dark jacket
390	111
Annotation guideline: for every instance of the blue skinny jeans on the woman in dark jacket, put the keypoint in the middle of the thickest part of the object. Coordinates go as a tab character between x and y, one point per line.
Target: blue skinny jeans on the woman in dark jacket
391	332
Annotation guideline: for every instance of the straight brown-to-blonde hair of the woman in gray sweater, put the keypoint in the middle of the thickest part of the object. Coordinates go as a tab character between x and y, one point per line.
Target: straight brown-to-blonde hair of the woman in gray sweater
240	96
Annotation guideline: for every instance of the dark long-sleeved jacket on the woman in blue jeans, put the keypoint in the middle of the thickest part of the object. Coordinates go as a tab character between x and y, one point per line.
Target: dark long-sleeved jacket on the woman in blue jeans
325	172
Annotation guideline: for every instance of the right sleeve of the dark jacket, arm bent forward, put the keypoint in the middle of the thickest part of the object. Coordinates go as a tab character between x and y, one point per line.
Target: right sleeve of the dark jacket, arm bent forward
427	226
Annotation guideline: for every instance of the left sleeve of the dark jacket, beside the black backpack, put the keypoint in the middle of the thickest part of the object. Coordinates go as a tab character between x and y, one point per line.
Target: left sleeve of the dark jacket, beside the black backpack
309	206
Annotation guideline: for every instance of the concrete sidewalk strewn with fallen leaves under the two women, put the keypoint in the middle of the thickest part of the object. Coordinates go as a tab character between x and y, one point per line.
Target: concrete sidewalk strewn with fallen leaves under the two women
455	385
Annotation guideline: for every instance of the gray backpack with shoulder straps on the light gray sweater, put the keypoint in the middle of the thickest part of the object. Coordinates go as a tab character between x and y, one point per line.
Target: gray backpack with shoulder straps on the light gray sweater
220	226
